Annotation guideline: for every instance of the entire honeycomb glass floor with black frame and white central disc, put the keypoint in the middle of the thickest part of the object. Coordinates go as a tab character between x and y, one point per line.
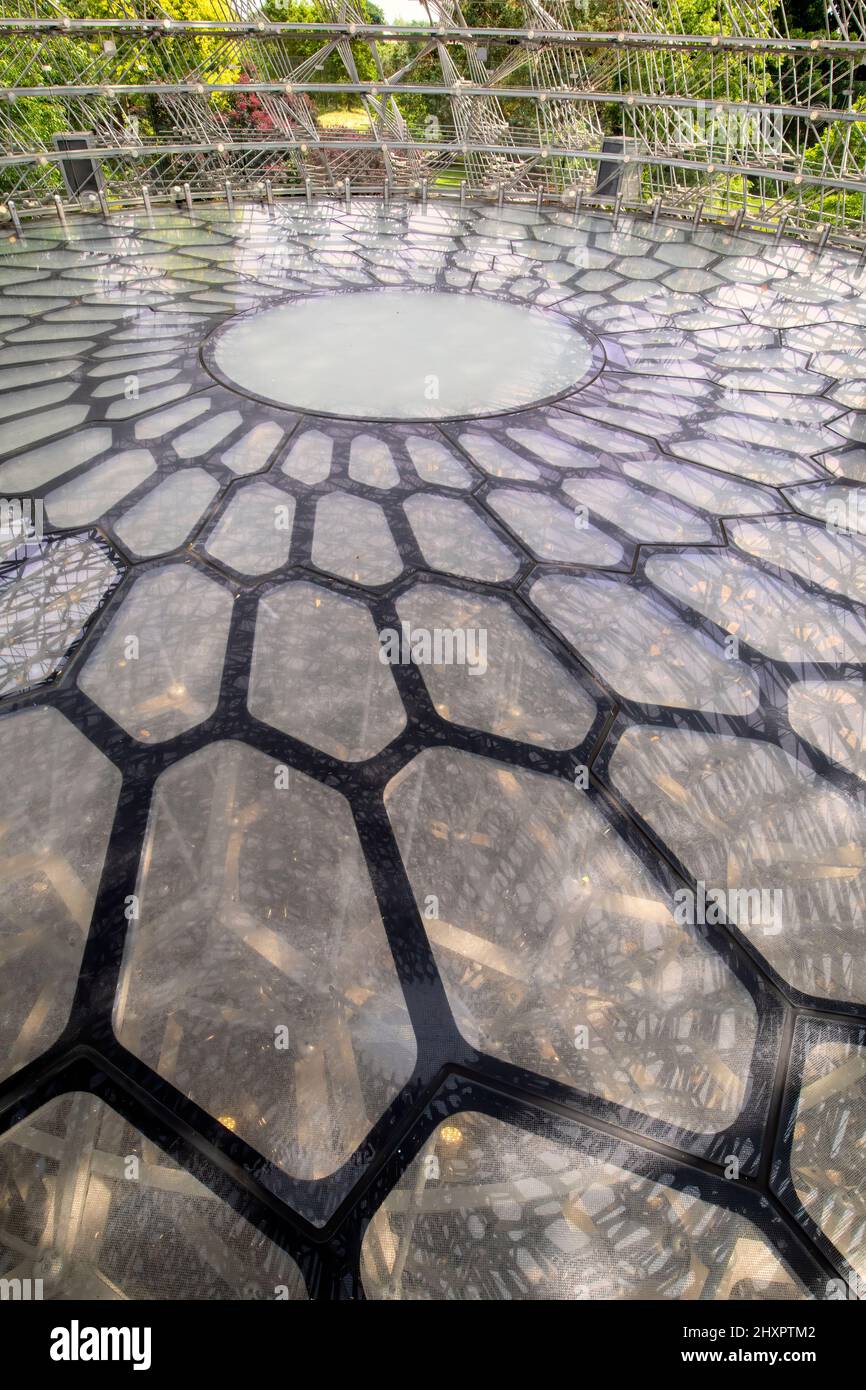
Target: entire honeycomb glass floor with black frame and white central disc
433	726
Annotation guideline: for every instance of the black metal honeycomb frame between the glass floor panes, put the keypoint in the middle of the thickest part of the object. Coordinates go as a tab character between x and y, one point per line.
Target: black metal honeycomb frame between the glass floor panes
322	1223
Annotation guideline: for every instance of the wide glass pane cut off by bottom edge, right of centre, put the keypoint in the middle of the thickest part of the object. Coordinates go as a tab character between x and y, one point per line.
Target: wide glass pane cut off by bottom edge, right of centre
487	1211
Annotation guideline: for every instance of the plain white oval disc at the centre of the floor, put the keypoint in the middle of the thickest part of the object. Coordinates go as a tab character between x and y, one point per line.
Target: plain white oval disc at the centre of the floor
401	355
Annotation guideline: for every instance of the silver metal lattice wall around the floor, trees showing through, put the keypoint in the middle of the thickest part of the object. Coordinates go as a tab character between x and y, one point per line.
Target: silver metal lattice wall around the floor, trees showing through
746	122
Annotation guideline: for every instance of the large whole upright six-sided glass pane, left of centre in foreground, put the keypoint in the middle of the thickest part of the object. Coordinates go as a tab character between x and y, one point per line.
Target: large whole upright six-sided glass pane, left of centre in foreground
259	978
